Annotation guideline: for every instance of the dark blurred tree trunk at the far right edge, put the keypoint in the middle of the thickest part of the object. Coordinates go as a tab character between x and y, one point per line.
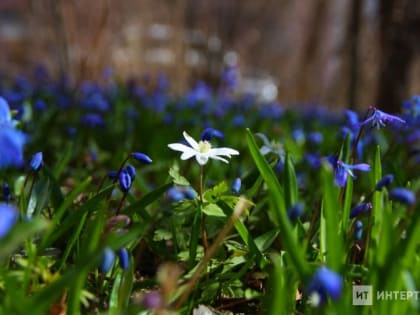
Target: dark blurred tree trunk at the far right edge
399	33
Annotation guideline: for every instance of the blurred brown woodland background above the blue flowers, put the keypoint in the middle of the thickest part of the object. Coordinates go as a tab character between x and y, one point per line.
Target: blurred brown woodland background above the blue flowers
347	53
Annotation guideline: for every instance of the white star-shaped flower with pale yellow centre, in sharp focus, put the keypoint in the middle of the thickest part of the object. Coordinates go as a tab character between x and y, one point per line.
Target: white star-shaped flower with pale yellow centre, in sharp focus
202	150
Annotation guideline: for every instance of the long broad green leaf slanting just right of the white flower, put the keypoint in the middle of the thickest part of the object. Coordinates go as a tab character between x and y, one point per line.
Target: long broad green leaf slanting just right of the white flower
276	193
